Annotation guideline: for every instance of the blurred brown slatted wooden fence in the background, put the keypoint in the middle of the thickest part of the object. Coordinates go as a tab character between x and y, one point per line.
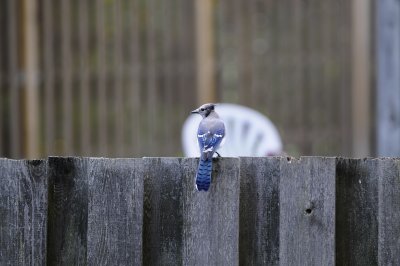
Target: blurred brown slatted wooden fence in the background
117	78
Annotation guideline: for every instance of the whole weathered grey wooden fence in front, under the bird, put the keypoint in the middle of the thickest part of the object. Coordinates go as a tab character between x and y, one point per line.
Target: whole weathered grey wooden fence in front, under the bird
259	211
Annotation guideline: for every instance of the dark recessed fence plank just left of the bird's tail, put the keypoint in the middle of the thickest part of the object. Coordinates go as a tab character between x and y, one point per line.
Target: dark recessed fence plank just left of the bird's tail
162	232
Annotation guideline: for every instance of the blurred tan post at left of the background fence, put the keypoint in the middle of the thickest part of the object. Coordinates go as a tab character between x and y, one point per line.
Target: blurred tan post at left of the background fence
30	67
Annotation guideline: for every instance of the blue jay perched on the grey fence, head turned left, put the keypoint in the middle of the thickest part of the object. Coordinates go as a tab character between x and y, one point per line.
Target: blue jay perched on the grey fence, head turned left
210	135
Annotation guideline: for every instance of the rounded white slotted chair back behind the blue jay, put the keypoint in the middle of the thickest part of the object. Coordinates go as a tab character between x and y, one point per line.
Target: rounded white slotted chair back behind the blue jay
247	133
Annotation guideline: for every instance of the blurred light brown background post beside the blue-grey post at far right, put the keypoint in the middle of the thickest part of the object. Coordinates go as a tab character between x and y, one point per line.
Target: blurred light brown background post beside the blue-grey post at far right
361	111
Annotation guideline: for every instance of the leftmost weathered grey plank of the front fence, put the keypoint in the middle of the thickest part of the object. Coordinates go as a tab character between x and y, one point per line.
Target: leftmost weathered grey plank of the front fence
23	212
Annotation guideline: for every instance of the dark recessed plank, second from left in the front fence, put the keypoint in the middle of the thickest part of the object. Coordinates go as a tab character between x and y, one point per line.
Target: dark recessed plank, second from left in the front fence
67	211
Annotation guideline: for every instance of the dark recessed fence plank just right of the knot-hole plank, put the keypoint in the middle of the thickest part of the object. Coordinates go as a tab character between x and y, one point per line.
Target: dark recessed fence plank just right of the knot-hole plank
357	212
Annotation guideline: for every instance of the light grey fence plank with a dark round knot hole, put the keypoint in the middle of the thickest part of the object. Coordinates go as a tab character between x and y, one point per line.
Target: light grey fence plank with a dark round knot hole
307	211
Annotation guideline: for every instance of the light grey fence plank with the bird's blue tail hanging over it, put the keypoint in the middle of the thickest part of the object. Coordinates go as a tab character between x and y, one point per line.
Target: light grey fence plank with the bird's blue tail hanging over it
211	219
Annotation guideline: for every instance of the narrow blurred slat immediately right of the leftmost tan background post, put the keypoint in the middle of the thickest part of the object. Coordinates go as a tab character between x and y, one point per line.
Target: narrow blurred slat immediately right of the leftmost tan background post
48	59
